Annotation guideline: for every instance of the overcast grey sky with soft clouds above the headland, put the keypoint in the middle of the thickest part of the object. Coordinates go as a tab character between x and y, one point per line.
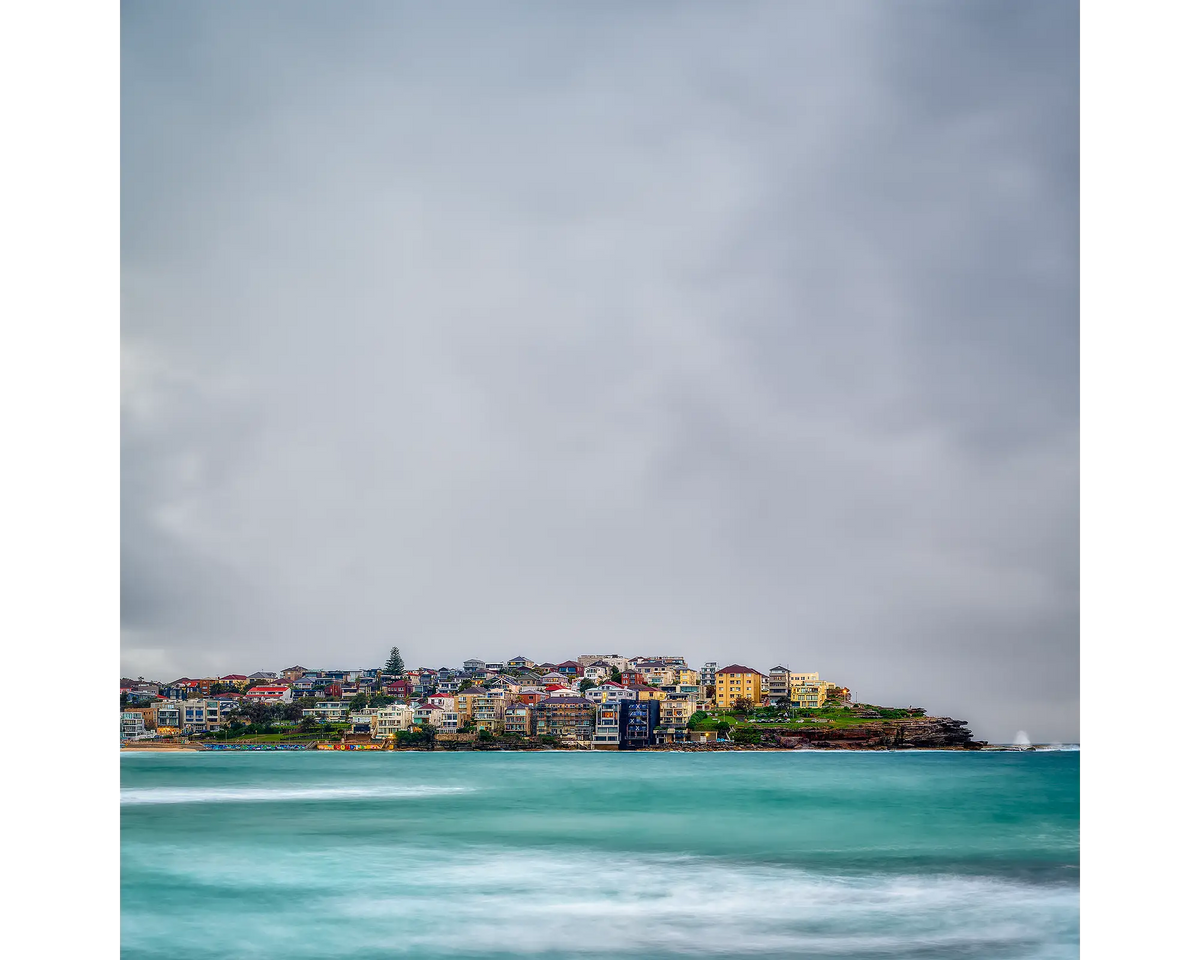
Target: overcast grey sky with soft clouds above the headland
741	332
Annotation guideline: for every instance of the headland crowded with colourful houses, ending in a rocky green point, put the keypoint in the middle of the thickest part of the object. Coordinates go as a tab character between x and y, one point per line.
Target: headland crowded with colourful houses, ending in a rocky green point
593	703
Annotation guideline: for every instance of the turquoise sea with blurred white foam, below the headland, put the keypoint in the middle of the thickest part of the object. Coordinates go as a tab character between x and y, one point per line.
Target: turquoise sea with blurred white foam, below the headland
583	855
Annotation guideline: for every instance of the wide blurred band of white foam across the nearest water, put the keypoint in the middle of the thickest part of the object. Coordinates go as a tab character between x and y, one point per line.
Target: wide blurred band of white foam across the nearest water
508	904
